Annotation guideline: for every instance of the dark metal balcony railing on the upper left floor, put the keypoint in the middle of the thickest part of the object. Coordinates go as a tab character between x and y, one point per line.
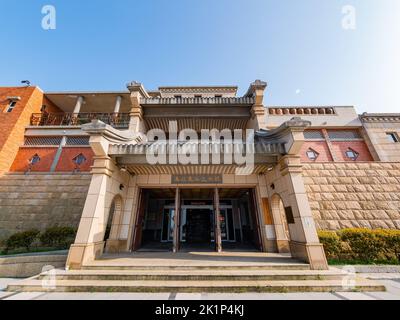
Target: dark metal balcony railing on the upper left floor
117	120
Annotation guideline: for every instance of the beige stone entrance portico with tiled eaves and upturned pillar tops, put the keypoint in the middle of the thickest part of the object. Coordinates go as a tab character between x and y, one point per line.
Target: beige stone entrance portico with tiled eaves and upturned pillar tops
124	189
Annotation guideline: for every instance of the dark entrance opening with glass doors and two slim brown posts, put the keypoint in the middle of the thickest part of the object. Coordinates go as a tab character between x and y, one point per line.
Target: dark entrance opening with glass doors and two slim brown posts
208	219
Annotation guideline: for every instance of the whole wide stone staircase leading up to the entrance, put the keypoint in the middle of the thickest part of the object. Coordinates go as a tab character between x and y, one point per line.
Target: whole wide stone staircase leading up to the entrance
180	276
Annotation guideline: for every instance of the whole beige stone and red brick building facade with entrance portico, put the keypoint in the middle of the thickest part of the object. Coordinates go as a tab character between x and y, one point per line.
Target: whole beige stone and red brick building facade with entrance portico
80	159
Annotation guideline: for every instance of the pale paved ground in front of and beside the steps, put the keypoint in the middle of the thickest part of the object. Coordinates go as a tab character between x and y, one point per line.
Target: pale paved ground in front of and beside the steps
390	280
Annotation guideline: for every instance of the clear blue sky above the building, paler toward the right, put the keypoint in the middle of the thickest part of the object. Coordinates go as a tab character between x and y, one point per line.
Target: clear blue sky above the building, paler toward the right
298	47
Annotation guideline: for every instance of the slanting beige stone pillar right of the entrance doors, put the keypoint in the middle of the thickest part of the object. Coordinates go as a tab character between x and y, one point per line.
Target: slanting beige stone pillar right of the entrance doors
304	242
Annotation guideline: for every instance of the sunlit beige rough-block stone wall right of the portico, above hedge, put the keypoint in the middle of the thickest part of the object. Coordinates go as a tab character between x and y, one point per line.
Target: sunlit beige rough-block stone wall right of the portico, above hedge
346	195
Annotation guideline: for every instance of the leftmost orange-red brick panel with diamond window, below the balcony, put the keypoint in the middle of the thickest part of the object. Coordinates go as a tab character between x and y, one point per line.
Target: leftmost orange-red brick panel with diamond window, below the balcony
21	162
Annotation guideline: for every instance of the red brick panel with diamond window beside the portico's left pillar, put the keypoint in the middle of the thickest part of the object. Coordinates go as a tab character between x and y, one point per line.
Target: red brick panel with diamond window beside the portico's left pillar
65	163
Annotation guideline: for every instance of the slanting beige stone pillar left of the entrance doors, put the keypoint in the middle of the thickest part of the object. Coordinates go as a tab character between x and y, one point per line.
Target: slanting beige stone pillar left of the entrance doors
89	242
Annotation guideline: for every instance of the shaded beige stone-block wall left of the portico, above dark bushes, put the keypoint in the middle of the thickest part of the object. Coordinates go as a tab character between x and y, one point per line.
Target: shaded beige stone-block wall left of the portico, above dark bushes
40	201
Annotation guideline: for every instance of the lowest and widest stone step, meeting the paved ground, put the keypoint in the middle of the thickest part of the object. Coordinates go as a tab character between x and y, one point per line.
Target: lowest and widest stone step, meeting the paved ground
35	285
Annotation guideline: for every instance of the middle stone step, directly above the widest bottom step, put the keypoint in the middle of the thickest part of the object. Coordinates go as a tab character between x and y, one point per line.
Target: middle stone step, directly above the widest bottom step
201	275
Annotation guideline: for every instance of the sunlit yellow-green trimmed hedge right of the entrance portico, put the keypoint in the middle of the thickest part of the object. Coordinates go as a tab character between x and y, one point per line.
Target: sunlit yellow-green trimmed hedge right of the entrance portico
371	246
